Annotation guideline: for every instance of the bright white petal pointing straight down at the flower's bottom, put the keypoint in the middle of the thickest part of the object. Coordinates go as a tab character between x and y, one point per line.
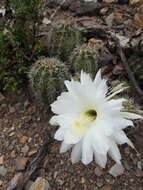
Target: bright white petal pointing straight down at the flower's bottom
87	151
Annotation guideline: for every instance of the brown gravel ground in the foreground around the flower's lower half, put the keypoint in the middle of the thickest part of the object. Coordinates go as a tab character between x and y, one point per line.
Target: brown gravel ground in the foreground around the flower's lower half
22	125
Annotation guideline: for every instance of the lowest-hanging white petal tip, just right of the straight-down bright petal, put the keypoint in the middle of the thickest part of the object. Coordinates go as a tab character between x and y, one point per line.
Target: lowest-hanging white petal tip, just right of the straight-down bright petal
100	159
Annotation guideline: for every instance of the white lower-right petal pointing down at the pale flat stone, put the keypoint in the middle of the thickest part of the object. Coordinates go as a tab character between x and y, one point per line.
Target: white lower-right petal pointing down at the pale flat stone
114	152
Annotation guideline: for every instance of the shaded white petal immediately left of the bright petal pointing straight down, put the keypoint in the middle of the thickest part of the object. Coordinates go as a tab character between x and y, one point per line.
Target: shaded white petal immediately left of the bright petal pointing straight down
76	152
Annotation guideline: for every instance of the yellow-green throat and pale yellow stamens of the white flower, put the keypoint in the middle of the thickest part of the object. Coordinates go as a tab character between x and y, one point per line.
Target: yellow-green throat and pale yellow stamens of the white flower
85	119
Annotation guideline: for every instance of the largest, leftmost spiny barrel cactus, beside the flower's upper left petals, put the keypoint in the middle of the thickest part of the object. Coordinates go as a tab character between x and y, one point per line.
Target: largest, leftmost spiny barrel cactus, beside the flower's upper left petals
47	79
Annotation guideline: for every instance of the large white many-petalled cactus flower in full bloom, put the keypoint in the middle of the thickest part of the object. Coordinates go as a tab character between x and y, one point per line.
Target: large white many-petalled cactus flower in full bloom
91	122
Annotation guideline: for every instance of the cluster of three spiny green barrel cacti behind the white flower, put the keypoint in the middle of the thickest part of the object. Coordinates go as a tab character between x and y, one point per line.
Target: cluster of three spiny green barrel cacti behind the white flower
47	75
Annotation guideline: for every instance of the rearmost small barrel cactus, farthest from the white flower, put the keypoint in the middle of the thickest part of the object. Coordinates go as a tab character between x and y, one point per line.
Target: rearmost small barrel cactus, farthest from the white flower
63	38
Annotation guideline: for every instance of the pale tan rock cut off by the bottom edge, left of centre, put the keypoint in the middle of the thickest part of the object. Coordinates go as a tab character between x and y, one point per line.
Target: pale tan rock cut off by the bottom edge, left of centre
40	184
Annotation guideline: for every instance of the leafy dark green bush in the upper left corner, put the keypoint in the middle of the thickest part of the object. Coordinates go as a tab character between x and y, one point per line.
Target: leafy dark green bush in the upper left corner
19	46
